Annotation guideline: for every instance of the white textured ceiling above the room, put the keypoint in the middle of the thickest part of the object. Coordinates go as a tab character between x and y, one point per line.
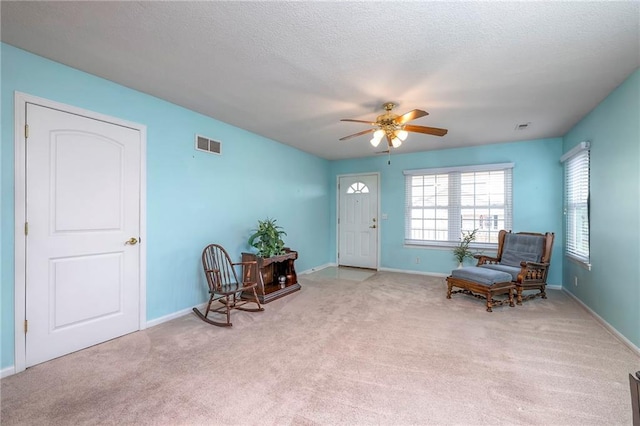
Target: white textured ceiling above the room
291	70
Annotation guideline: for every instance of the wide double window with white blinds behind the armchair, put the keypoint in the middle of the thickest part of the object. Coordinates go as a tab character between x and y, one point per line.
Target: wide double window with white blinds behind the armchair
442	204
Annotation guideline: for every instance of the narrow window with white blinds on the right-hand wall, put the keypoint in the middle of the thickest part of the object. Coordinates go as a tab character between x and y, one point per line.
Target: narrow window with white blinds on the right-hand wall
576	202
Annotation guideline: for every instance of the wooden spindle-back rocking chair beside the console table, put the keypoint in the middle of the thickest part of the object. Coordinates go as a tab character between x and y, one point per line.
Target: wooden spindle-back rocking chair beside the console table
224	285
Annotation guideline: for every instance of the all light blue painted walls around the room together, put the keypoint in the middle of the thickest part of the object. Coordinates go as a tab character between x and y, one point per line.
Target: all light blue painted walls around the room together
194	198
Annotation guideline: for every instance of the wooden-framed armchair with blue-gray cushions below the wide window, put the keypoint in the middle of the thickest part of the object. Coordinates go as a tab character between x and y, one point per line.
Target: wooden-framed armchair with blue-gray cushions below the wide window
526	257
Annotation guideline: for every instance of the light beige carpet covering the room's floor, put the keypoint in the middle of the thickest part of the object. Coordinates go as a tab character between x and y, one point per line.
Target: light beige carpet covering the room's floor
389	349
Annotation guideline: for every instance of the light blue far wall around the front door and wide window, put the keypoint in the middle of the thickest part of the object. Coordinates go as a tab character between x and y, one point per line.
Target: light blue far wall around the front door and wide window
537	197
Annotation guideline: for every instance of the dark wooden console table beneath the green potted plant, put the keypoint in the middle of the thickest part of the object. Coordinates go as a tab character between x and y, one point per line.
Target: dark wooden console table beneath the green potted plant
270	269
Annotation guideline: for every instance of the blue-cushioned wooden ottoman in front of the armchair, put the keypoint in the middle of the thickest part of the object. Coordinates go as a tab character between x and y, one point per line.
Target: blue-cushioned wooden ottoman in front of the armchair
482	283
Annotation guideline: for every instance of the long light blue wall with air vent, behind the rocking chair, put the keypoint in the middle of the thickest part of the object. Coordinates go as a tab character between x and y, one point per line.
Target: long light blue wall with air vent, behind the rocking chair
193	198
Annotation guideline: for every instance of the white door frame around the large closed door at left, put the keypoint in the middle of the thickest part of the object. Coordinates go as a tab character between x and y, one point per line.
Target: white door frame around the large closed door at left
20	107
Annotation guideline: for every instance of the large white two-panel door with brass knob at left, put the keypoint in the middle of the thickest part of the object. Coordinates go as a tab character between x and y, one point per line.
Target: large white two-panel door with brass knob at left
83	209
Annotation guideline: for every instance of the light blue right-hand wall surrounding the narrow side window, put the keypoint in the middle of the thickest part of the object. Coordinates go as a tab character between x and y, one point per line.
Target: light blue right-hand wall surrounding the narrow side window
612	287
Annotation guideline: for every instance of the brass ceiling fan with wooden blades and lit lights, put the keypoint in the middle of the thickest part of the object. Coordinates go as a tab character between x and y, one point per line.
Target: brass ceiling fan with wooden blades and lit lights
394	127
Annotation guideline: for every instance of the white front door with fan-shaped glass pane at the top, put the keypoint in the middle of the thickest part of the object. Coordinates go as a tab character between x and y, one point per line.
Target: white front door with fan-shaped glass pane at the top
358	221
